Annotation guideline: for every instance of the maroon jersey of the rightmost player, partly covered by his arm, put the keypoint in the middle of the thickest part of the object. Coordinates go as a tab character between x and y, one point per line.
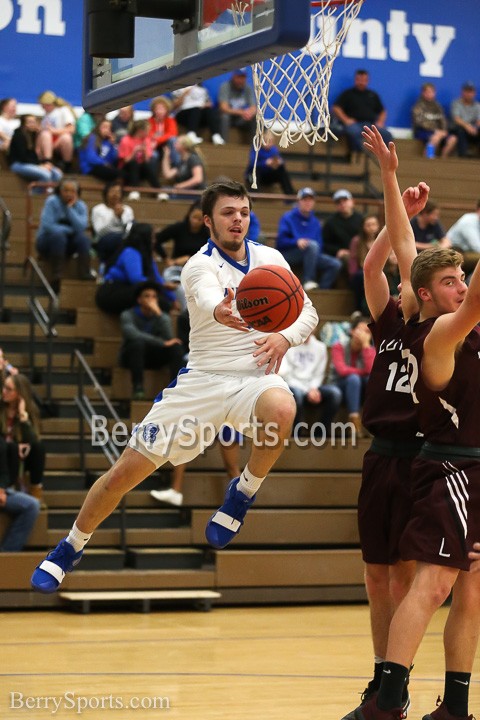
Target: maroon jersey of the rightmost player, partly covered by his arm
450	416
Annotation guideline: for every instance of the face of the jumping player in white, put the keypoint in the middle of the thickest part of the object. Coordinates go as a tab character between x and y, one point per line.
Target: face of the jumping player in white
229	223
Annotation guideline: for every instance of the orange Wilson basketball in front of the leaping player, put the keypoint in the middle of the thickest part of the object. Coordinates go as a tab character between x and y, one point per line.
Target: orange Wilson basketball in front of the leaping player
270	298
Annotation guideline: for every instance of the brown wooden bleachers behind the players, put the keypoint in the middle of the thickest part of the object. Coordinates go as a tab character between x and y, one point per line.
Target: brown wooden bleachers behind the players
300	541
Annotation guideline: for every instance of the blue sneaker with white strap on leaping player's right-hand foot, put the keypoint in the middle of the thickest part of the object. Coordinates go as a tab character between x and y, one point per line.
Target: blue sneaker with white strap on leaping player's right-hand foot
227	521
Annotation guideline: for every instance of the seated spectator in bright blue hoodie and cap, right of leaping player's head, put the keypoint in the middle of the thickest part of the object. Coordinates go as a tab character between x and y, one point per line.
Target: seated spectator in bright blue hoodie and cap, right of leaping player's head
300	242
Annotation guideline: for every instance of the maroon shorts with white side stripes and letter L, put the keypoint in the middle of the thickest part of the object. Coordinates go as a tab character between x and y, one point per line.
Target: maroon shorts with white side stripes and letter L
445	518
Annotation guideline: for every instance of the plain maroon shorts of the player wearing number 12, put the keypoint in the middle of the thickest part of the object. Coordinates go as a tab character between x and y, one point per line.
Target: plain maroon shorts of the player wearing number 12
384	505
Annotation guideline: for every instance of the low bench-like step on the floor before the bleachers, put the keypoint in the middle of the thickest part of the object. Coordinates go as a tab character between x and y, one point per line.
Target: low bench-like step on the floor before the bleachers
202	599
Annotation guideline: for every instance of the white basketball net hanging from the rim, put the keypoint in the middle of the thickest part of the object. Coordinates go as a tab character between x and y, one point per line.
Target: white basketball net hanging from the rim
292	90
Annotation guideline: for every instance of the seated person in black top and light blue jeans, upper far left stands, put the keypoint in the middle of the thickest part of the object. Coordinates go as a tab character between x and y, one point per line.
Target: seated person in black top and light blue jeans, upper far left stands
22	156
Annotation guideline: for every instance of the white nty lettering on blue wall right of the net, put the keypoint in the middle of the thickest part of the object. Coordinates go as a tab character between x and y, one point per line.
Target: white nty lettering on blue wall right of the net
372	39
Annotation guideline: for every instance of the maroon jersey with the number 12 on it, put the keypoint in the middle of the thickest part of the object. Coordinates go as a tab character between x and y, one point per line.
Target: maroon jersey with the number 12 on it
388	410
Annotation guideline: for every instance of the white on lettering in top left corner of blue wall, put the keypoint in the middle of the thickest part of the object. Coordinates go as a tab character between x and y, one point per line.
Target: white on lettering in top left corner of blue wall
29	20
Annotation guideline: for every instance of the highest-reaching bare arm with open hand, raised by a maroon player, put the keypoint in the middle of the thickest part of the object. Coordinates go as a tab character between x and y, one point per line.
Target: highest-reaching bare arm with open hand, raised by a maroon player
396	217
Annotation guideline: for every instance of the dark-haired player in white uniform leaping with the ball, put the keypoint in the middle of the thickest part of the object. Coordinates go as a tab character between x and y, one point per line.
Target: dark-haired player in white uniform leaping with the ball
231	376
